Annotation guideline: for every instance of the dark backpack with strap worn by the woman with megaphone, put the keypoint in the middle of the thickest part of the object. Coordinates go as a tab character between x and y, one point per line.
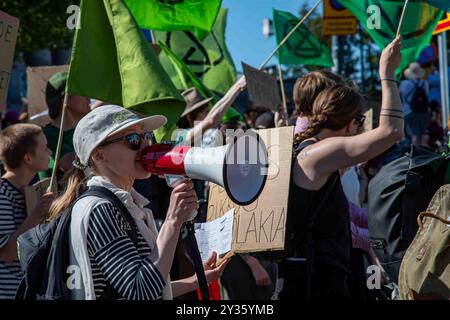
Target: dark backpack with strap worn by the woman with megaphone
44	253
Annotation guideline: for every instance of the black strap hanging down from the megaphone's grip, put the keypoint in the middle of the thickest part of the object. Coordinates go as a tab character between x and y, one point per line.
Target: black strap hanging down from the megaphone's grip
192	247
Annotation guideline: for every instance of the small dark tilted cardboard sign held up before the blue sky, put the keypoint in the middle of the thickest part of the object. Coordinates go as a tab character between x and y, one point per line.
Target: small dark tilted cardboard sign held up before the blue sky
262	88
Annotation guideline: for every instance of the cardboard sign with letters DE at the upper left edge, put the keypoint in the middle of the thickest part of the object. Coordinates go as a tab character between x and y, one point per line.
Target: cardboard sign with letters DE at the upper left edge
9	27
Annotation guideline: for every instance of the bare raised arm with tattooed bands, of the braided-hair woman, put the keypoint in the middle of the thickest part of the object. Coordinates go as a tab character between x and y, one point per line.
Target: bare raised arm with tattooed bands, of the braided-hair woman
332	154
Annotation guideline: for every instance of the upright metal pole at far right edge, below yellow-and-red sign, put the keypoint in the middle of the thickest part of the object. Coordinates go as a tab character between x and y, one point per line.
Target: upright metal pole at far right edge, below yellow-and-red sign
443	72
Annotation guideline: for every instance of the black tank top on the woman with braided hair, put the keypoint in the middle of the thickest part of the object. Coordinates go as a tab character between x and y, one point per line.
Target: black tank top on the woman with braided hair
323	215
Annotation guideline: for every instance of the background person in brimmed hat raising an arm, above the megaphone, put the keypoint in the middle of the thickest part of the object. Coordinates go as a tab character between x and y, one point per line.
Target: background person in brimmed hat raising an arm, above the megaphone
200	119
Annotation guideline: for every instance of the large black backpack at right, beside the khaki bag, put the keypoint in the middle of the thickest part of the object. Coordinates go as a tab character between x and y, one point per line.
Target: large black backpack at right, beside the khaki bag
397	194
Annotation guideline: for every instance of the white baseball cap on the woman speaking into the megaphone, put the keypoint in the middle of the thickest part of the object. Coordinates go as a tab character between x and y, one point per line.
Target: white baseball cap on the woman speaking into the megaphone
104	122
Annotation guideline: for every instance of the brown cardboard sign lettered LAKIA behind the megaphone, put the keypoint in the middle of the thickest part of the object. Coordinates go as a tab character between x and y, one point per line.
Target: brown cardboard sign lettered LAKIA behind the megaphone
261	226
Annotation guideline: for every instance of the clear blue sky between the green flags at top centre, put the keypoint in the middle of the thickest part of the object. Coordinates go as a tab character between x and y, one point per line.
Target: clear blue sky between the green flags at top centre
244	30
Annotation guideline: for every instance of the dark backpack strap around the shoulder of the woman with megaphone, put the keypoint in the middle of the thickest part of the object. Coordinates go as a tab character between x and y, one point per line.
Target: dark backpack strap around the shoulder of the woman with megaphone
109	292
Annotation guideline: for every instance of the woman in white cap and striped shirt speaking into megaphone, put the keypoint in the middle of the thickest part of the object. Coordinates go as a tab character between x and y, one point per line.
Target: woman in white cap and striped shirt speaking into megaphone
113	239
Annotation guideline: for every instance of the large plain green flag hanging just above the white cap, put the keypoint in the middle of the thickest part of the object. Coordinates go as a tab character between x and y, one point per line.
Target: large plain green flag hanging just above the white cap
112	62
